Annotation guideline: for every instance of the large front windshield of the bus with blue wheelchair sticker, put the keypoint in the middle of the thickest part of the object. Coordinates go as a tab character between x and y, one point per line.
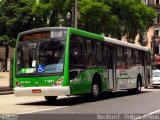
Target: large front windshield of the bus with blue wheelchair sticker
43	56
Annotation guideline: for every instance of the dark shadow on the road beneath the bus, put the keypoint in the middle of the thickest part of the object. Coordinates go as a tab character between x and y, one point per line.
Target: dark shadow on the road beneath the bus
75	100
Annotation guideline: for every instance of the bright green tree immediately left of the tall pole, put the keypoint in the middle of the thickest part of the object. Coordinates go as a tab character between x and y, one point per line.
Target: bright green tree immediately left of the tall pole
49	12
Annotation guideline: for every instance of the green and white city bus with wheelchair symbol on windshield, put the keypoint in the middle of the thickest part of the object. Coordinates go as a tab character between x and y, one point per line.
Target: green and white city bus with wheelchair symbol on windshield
55	61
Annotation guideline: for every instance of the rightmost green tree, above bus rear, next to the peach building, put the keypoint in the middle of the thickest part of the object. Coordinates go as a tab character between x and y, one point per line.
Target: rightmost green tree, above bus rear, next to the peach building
134	18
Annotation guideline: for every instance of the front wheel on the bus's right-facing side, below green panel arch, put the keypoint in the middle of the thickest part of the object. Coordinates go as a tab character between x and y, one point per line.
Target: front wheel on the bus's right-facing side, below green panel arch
96	90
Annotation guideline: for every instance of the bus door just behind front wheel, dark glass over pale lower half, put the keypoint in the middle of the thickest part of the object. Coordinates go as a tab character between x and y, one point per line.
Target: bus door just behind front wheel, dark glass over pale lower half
110	67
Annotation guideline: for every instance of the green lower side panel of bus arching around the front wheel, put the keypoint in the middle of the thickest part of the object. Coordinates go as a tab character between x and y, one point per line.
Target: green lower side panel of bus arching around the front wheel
83	83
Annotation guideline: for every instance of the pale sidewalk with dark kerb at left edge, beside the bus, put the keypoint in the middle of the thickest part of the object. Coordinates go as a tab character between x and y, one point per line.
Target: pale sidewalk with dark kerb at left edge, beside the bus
5	84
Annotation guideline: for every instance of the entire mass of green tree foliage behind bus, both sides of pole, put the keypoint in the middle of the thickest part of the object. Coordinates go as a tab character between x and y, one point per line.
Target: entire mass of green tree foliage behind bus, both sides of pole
112	17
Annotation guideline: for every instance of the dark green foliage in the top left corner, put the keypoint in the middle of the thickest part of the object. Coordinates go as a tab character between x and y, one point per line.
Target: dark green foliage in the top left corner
15	16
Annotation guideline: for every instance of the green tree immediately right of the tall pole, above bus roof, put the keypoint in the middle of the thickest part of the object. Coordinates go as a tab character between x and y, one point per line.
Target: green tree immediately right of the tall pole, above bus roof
96	16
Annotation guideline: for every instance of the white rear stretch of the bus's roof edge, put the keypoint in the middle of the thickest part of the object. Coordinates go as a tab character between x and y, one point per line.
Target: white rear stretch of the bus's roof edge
122	43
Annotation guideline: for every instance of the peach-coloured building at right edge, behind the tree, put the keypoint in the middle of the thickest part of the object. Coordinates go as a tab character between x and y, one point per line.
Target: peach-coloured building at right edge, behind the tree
153	34
